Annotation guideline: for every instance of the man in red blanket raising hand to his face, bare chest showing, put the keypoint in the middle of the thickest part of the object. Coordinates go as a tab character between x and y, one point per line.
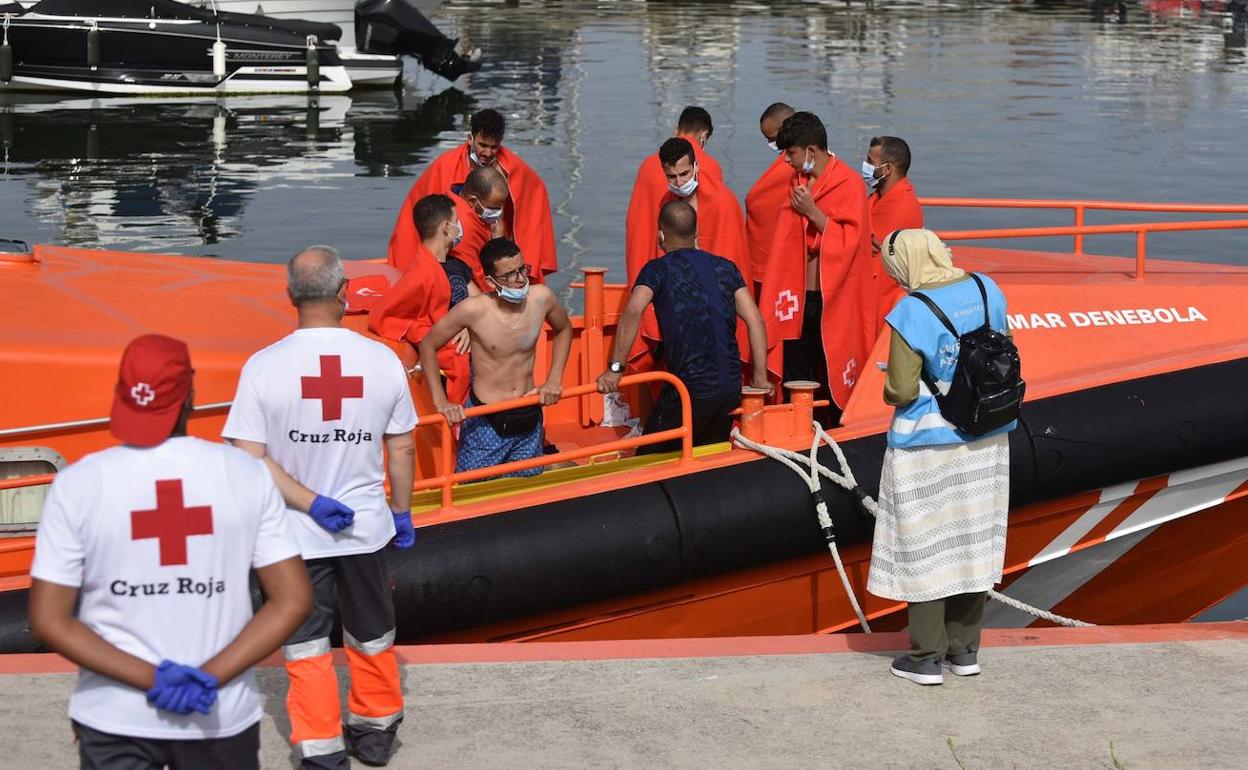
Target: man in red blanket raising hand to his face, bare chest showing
819	295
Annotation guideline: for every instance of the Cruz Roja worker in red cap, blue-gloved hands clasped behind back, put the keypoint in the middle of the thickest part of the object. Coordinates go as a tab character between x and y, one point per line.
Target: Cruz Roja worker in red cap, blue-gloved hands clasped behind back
157	540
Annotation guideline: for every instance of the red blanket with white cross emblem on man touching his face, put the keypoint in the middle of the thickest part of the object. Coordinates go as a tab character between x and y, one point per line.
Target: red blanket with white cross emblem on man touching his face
847	279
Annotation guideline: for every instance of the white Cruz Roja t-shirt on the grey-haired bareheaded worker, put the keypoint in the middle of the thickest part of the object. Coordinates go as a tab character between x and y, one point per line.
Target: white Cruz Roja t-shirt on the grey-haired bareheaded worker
321	401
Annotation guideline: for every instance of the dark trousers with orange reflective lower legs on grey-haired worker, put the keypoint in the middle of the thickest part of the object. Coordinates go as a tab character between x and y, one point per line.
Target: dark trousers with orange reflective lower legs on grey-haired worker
360	587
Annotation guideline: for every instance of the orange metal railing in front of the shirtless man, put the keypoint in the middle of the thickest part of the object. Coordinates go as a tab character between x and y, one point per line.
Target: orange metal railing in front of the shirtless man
447	481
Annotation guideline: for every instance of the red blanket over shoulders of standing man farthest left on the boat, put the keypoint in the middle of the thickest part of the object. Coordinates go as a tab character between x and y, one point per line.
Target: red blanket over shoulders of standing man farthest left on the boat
527	213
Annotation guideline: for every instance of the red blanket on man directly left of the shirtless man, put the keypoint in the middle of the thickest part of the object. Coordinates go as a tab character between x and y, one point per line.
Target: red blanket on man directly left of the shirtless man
410	310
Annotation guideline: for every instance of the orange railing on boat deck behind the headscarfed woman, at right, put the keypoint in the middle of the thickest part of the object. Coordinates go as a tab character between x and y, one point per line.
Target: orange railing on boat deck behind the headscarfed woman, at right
1080	229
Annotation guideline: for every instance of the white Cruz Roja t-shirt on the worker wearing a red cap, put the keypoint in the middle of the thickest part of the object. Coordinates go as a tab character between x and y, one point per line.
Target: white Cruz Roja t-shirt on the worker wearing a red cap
160	543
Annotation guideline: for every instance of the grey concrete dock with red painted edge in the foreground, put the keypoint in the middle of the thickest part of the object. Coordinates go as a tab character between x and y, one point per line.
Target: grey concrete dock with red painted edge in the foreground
1166	697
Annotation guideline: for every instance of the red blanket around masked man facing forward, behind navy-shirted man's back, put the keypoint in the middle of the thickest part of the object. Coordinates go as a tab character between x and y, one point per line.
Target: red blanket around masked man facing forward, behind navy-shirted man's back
721	231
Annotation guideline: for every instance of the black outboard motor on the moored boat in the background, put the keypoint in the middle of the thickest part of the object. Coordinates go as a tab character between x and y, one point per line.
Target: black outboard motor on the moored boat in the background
399	29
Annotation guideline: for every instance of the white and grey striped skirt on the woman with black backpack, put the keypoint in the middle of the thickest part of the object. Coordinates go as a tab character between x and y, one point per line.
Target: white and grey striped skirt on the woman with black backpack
943	527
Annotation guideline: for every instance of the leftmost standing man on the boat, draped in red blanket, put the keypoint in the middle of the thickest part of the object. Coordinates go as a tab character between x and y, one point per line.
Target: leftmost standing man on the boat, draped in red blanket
525	218
